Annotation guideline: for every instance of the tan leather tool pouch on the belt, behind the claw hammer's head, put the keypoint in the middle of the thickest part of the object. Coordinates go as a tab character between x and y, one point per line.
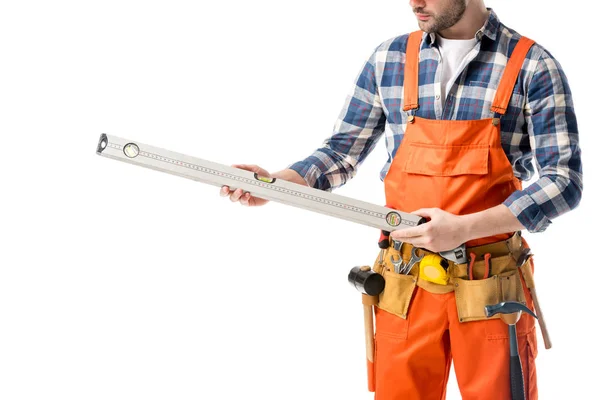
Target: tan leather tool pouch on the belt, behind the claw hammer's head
473	295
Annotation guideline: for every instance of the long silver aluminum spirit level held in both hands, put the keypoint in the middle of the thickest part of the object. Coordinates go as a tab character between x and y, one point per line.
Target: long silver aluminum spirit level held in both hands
286	192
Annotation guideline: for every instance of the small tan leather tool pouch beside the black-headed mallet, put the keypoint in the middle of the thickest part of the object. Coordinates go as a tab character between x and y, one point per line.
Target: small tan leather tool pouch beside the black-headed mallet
399	288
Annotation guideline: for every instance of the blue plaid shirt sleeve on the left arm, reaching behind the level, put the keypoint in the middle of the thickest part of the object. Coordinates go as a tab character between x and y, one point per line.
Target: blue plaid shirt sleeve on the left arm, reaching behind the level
356	131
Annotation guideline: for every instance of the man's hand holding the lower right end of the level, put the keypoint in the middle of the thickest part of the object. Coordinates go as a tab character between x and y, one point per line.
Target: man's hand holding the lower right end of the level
444	231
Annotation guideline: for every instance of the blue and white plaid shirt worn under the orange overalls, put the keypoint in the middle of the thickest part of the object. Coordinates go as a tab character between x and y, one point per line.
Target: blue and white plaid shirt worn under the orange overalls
538	128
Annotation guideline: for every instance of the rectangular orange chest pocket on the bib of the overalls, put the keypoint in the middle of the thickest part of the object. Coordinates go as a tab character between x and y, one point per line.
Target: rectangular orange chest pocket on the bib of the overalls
435	160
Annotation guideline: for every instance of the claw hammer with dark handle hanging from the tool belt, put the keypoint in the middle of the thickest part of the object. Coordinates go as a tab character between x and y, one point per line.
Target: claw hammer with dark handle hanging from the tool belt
510	313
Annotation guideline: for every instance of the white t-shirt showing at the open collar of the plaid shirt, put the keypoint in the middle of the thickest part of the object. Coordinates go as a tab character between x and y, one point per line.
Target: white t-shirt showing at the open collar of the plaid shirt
454	55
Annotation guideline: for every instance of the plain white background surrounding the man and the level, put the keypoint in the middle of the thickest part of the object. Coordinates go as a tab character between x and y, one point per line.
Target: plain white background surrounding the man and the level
125	283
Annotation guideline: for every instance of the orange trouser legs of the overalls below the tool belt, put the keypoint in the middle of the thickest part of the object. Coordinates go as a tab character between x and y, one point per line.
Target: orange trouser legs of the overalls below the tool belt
413	355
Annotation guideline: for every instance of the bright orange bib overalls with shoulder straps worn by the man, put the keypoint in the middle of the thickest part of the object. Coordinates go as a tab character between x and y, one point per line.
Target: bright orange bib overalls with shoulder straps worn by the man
460	167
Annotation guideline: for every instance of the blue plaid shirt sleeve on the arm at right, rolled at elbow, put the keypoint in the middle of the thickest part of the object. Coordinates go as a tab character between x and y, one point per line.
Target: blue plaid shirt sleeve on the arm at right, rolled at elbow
554	141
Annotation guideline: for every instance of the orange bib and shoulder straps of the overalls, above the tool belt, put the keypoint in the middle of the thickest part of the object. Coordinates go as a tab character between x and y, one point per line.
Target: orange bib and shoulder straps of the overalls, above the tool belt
458	166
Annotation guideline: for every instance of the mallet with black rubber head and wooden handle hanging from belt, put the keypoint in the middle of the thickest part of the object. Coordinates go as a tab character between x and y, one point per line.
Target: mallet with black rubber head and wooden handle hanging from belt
370	284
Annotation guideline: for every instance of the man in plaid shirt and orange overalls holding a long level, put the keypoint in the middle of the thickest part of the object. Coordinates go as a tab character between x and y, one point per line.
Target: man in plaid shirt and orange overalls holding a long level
467	106
